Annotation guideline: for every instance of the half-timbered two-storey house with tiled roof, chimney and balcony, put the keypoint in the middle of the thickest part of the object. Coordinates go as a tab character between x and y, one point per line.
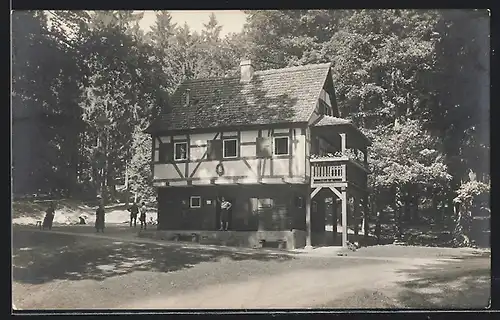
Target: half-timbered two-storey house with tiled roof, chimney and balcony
271	142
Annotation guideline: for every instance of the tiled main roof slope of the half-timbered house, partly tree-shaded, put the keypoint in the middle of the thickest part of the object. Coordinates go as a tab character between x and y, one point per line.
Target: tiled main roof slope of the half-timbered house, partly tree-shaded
276	96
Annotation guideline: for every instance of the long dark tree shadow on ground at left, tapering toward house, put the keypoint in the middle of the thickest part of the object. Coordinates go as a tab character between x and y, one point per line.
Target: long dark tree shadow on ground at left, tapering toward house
40	257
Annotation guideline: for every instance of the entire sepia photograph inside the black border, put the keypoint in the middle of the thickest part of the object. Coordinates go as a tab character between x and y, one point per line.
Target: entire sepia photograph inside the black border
250	159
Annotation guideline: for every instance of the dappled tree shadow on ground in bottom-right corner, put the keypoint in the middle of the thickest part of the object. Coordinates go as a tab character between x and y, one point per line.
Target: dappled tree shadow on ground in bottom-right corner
463	283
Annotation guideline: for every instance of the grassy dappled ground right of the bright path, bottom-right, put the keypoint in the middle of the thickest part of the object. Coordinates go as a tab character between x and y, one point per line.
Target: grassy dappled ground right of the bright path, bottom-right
463	283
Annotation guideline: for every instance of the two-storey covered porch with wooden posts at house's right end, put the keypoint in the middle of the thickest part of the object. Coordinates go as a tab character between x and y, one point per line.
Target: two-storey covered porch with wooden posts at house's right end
339	184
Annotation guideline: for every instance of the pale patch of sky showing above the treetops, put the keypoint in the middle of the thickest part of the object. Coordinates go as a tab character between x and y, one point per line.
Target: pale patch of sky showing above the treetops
230	20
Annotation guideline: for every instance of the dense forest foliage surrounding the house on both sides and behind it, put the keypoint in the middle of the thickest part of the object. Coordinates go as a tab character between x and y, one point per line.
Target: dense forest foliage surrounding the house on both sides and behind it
415	81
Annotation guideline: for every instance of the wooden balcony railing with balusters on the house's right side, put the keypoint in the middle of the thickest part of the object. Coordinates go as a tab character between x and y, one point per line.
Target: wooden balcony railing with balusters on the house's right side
330	170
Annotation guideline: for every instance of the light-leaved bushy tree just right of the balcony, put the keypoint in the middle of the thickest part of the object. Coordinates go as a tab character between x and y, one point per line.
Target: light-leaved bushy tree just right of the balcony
406	164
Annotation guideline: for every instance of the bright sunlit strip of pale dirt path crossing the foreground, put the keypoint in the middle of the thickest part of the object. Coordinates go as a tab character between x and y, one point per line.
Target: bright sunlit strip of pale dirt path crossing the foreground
300	289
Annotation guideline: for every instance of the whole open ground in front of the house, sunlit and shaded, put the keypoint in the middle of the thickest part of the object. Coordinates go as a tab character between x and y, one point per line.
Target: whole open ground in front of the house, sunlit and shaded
190	276
